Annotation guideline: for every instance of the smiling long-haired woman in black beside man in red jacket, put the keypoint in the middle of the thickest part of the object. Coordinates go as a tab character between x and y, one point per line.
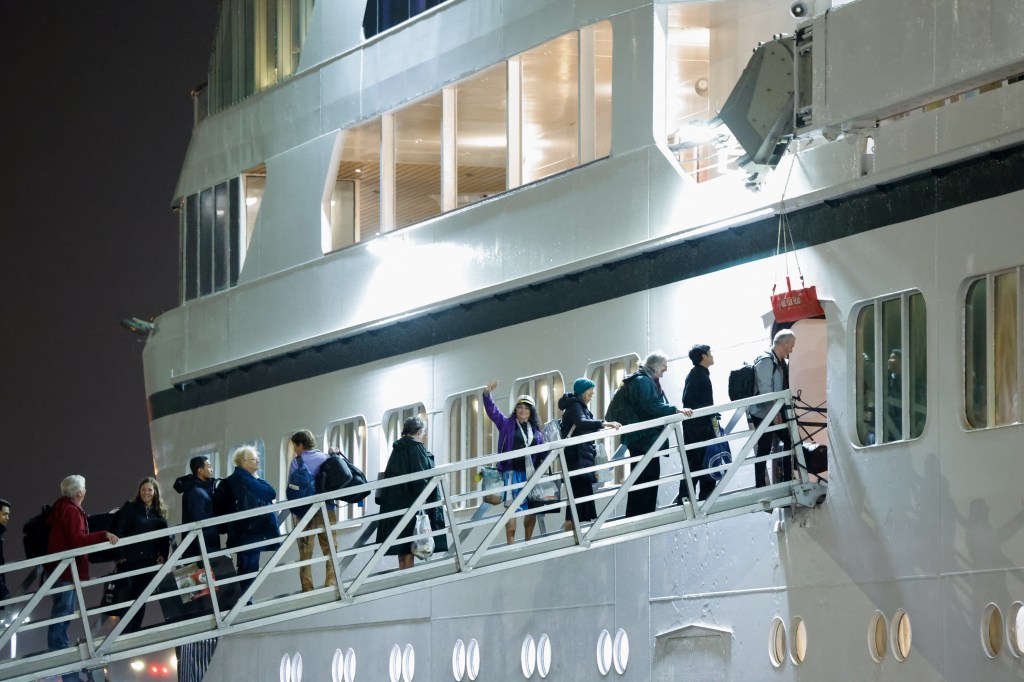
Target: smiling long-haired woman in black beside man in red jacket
144	515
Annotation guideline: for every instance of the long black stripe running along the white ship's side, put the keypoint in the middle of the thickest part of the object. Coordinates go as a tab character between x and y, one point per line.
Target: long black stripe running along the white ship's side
941	190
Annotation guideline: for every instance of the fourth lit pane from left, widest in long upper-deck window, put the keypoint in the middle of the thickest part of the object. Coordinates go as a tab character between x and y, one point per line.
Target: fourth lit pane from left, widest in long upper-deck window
550	104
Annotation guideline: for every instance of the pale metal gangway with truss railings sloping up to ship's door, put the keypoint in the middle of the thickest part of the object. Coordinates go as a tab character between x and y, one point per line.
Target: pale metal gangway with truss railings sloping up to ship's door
476	543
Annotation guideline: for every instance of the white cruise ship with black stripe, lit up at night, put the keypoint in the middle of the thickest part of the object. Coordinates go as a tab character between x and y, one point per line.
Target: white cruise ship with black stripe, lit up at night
386	206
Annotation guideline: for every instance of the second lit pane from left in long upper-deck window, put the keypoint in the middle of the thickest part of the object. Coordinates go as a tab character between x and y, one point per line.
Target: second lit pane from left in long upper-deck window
418	162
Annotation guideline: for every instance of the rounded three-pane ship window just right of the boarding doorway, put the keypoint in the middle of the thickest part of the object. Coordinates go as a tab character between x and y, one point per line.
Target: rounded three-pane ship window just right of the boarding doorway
891	368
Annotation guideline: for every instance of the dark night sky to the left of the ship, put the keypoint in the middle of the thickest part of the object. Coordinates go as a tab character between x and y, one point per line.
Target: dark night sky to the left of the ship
96	117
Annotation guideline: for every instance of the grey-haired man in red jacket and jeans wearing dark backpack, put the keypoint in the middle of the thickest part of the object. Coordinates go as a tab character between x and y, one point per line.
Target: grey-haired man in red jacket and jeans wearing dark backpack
69	530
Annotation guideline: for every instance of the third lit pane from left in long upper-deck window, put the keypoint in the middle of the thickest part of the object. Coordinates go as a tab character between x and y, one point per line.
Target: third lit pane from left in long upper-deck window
482	136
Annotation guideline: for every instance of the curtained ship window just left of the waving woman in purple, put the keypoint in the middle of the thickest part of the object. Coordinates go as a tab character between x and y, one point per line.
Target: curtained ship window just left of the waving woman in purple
471	435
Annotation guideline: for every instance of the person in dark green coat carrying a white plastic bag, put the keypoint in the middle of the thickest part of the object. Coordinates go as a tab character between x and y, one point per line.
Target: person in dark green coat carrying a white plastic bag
409	456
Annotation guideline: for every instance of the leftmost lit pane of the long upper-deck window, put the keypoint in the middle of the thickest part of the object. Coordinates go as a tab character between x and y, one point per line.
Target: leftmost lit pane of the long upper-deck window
361	163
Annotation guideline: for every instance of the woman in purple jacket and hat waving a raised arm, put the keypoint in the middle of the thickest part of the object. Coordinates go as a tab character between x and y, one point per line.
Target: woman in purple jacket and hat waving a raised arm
517	433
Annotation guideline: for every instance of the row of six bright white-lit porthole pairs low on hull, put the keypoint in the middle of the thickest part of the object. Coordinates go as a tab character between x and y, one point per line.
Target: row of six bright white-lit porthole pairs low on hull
613	653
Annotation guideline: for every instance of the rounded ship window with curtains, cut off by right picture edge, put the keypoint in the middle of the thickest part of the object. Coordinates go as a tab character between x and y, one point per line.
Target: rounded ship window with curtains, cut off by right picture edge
994	372
